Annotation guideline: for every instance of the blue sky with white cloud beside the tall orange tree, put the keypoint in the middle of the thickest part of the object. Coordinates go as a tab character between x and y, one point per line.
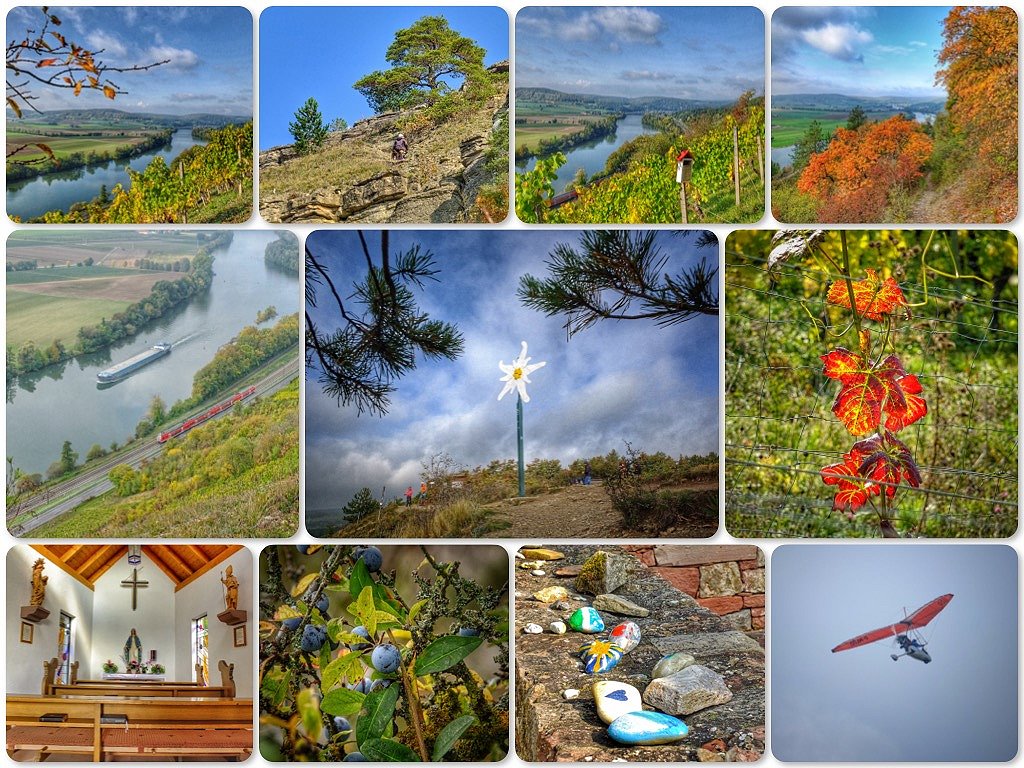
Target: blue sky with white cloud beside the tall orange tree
858	51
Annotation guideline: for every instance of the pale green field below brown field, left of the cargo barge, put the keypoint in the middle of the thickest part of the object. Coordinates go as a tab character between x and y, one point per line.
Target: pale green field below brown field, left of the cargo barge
44	319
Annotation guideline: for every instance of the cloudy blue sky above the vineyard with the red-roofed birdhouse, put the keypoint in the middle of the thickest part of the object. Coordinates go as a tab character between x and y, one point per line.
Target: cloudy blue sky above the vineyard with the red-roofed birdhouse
713	54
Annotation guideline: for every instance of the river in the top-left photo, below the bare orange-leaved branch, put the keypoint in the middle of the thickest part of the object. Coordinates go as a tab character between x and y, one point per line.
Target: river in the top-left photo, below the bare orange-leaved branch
34	197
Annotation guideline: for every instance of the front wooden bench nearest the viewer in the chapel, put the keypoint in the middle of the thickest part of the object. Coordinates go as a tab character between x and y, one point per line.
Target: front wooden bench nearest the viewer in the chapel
166	728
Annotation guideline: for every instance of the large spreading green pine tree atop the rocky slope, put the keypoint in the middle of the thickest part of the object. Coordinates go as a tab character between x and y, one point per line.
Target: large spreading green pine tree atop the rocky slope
421	58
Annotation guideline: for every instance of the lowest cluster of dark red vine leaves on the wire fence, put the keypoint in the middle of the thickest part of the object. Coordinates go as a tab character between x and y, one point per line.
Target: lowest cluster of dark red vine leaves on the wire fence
872	465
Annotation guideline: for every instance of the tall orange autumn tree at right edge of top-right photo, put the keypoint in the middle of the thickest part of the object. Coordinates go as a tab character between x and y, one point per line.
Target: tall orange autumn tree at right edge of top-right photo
979	56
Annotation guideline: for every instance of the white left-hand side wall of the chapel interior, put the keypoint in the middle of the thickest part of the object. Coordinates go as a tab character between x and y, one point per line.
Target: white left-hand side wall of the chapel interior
25	663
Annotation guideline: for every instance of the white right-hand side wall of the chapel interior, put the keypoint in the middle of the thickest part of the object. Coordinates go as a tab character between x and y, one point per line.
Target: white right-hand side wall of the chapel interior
206	595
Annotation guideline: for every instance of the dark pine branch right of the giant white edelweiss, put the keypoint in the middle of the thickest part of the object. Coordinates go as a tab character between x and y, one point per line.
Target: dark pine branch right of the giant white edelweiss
623	275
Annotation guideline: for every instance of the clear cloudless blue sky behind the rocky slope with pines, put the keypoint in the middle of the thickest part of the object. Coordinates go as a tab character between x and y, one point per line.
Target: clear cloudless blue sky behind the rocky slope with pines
321	53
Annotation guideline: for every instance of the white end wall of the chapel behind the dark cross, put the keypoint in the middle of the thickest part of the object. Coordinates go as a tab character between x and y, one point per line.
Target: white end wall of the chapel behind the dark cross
153	619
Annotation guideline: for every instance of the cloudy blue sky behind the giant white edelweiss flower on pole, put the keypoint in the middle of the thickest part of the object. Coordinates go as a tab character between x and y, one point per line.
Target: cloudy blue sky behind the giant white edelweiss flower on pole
657	388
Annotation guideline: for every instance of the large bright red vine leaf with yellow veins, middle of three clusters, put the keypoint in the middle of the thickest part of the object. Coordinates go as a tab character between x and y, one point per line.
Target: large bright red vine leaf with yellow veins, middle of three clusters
869	391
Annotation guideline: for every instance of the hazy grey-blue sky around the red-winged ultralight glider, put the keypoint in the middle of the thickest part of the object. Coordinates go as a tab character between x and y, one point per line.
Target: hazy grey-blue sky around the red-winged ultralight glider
859	705
